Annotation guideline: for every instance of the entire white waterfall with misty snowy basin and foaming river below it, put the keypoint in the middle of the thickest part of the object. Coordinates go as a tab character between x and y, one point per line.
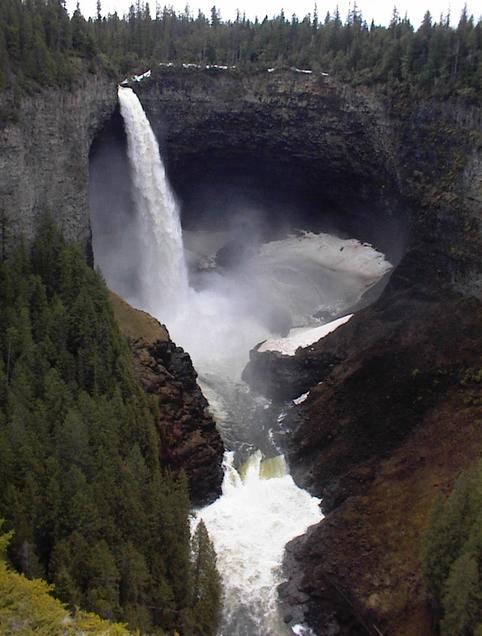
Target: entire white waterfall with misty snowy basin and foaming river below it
281	291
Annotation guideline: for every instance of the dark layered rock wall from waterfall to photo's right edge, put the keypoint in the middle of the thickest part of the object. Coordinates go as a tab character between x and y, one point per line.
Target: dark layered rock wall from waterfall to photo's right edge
401	167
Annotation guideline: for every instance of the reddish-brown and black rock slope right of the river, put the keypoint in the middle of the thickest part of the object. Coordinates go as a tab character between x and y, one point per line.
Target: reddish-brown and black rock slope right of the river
390	427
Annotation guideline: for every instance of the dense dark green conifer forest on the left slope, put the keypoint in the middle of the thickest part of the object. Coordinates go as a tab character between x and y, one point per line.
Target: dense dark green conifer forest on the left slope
81	485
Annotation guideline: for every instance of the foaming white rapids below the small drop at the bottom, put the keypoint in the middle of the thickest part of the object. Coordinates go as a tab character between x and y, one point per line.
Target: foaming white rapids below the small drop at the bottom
260	511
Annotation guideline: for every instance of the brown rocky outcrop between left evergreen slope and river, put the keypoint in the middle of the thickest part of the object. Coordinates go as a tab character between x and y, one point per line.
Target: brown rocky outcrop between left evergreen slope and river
189	440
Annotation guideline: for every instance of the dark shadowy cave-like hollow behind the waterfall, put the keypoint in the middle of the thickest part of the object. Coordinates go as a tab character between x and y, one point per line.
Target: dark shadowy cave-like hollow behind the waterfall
223	172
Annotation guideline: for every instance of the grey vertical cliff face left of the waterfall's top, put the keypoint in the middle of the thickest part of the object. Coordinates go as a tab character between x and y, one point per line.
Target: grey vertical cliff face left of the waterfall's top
44	155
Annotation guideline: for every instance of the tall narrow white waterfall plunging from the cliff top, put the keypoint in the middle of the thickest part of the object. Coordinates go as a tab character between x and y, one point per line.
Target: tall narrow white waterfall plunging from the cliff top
163	282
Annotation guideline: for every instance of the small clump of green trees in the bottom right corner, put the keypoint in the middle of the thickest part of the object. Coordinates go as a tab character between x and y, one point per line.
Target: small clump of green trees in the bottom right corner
452	555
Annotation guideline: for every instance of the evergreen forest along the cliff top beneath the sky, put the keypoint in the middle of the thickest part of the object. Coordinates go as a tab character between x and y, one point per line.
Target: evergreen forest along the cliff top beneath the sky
40	44
